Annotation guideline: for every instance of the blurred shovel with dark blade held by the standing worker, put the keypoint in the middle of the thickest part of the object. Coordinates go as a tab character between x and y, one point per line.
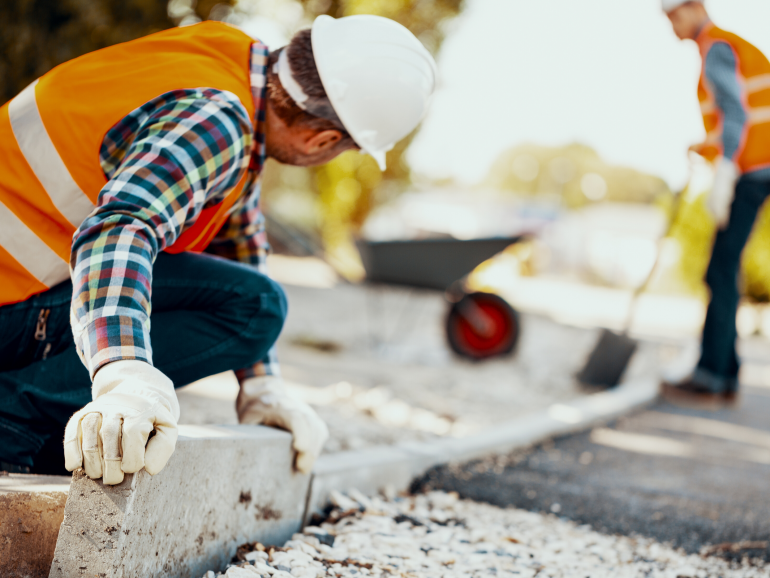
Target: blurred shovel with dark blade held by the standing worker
613	352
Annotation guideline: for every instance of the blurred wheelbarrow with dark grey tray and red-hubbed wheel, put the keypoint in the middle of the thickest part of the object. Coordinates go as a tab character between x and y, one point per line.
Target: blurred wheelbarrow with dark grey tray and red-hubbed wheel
478	325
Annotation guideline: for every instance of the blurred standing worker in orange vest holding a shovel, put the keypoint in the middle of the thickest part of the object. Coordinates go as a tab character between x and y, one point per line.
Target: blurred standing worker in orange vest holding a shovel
734	94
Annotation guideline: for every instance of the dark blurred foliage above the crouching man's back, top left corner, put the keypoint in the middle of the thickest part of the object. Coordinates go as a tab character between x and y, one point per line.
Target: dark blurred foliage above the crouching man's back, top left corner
36	35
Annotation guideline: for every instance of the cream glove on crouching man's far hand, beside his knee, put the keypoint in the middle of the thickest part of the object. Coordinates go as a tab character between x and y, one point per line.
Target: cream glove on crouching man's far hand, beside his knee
265	401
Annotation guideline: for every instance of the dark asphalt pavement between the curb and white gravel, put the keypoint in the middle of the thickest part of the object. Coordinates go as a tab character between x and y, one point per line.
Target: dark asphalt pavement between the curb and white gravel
696	479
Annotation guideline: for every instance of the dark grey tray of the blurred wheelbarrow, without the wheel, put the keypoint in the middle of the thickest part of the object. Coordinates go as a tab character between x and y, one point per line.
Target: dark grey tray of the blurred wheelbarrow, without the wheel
427	263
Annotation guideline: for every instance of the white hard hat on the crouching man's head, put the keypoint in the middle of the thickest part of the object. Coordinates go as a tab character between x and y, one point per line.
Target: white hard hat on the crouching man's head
378	77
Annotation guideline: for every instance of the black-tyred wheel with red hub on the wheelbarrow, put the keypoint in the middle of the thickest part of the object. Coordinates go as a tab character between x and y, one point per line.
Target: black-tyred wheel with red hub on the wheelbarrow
482	325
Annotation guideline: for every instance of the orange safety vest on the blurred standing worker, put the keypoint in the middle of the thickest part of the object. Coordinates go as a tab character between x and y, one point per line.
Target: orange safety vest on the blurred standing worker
754	75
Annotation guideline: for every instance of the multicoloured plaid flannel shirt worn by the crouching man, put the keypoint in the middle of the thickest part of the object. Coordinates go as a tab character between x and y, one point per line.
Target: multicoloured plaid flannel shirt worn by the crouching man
165	162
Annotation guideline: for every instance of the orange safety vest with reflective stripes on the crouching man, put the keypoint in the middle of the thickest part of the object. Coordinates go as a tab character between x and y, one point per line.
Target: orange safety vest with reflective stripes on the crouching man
52	132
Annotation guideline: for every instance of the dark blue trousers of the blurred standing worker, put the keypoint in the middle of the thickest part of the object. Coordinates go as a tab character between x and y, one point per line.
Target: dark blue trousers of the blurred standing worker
718	365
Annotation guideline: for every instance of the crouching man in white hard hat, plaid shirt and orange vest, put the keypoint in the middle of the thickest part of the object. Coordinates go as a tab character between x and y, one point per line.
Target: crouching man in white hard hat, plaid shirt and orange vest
125	176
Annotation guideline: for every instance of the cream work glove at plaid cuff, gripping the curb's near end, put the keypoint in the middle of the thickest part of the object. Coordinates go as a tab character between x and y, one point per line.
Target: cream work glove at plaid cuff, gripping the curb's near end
108	437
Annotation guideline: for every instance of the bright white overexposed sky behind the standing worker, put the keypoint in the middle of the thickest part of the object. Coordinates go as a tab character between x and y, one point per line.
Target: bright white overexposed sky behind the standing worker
607	73
